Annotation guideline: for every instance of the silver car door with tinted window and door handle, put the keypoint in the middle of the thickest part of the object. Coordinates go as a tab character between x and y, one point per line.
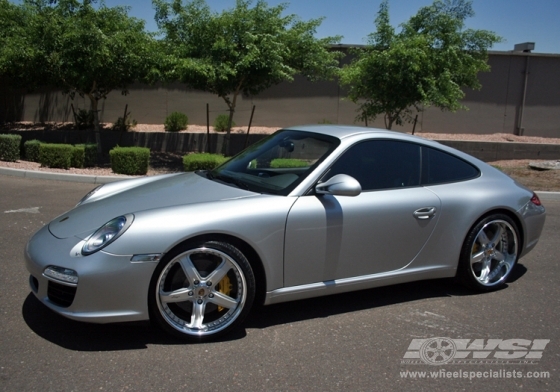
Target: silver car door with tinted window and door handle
381	230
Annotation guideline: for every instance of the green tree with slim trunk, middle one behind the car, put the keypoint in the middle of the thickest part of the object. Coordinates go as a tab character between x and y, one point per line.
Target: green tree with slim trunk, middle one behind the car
244	50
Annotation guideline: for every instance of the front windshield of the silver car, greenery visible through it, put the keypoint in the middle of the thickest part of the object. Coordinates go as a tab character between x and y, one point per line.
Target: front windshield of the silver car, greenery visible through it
276	164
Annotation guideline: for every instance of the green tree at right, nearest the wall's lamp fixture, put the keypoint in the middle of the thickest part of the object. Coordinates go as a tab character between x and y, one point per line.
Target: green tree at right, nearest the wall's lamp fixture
427	63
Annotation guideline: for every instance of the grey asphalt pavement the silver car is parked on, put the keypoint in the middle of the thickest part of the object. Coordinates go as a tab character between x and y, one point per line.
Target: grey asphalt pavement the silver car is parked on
353	341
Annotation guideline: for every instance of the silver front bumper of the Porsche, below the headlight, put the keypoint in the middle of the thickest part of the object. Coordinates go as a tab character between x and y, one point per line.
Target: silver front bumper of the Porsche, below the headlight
110	288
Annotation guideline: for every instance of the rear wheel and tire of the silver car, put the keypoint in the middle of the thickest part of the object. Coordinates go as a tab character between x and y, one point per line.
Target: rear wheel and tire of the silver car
489	253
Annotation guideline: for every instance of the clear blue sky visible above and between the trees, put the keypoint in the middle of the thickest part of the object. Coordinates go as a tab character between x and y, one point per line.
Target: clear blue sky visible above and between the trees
516	21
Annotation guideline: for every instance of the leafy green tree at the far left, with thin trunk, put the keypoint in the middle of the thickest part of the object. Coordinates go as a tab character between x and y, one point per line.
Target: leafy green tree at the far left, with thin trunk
82	49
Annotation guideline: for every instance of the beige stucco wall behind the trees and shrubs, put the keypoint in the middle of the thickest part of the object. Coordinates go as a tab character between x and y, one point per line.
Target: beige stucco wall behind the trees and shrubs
494	109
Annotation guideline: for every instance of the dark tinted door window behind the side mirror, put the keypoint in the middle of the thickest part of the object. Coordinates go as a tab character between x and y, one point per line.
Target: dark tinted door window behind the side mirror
380	164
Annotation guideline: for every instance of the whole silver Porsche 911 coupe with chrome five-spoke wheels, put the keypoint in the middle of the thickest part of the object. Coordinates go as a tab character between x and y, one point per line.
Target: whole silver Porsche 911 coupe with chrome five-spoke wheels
306	212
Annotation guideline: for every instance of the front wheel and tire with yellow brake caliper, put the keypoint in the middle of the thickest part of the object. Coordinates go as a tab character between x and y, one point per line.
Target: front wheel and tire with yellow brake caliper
201	291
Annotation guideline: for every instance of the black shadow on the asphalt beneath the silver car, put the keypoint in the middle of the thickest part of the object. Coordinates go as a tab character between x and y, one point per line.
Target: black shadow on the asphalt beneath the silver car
80	336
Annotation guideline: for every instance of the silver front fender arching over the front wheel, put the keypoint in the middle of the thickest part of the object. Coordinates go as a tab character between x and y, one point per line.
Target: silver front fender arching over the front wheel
260	221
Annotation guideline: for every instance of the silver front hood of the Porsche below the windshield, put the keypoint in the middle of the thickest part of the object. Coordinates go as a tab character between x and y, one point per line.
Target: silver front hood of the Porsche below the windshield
134	196
